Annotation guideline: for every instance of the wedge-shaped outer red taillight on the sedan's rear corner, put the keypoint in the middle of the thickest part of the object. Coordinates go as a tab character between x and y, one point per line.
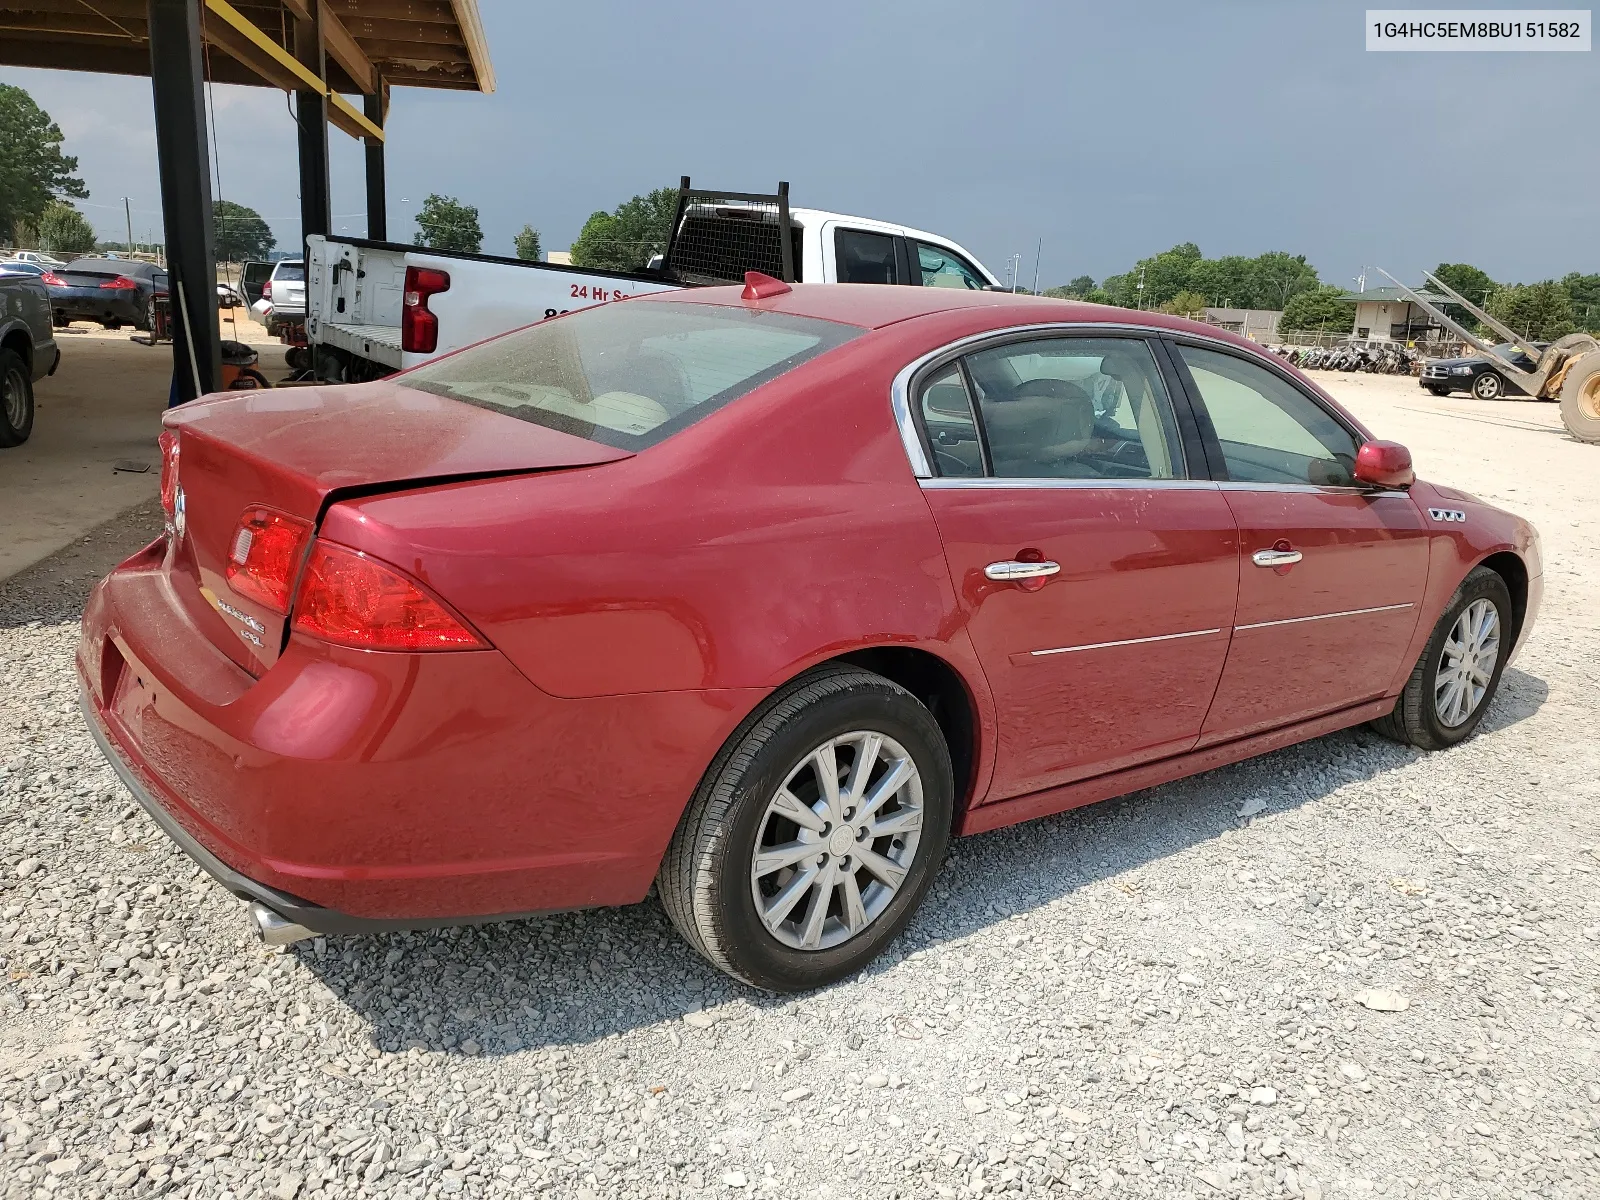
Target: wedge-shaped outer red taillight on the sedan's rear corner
356	601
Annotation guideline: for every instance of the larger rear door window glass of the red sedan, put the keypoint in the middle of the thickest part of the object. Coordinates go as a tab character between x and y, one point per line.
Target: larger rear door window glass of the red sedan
1076	409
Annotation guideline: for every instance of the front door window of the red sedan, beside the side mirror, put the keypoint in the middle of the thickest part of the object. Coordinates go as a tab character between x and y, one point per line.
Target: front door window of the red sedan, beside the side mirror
1271	433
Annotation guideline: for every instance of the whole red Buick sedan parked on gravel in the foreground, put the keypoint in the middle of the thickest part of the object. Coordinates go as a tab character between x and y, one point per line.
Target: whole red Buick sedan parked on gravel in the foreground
764	598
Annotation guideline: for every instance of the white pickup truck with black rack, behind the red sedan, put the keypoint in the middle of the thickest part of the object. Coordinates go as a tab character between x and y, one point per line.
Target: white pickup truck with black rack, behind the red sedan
375	308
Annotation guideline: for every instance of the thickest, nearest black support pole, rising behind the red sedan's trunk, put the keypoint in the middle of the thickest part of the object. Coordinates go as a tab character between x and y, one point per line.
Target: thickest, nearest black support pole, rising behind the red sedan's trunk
178	87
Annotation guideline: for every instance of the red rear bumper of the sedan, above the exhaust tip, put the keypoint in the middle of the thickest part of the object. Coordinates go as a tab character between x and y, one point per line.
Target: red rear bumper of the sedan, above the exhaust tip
359	791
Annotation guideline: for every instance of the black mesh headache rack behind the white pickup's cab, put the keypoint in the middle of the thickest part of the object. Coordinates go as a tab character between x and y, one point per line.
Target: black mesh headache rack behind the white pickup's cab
719	236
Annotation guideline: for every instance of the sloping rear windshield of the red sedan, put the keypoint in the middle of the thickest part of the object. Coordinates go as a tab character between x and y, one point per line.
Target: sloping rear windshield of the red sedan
630	374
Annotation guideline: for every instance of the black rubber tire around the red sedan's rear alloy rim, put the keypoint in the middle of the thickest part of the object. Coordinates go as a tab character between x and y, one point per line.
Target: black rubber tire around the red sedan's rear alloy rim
705	879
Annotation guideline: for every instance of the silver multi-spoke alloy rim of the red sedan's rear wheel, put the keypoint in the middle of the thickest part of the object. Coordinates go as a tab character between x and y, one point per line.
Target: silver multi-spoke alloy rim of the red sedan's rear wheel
838	841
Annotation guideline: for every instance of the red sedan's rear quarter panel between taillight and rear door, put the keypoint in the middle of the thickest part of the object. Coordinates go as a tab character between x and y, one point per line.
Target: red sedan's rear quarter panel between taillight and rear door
783	530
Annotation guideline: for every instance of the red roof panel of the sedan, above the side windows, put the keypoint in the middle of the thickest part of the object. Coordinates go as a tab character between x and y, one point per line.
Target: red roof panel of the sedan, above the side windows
876	306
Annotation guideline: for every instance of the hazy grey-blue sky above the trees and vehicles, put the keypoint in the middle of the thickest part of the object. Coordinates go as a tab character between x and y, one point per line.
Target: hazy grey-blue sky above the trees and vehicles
1110	130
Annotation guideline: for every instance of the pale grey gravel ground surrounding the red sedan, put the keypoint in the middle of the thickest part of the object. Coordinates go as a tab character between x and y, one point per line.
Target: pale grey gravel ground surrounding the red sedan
1342	970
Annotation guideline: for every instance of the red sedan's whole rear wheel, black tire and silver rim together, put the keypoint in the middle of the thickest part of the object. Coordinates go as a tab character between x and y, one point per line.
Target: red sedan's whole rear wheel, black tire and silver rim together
791	905
